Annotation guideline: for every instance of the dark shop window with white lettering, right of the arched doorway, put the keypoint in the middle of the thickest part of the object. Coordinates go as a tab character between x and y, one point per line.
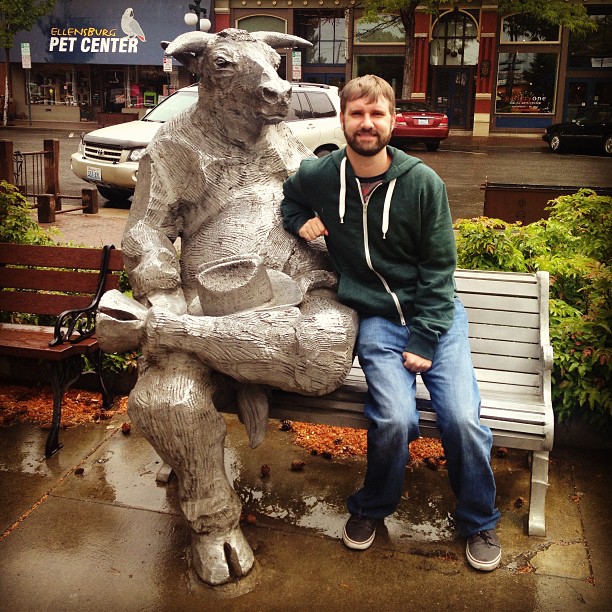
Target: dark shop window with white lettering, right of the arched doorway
526	82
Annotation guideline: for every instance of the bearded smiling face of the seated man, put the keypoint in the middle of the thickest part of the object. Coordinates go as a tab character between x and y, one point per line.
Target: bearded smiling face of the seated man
367	125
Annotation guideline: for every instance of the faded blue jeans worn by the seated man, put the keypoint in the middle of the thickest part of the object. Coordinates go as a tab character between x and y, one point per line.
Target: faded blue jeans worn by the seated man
391	407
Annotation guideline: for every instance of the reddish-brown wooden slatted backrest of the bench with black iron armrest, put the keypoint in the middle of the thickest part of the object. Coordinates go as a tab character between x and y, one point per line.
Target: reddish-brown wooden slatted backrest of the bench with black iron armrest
48	280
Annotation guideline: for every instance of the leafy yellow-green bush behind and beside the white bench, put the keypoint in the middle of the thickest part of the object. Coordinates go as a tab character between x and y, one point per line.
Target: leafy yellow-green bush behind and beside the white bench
575	246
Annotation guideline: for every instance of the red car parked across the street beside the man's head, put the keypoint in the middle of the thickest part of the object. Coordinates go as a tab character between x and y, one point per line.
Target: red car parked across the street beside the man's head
418	122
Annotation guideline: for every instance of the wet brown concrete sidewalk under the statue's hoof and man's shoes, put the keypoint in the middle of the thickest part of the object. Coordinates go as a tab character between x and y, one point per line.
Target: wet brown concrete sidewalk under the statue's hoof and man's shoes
112	538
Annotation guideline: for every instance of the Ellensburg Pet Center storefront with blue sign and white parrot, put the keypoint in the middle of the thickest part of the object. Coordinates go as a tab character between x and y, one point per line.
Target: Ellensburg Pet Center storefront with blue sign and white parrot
87	58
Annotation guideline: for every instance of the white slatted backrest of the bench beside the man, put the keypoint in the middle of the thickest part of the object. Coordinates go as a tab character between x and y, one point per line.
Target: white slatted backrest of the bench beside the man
508	316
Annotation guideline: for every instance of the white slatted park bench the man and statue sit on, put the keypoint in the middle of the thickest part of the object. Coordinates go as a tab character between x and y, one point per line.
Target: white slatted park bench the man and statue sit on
509	338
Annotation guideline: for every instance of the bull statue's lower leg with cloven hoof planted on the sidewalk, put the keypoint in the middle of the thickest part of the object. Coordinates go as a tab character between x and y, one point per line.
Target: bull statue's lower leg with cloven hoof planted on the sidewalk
172	405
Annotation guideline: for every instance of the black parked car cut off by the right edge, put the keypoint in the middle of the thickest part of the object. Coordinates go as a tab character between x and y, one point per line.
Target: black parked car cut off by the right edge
590	129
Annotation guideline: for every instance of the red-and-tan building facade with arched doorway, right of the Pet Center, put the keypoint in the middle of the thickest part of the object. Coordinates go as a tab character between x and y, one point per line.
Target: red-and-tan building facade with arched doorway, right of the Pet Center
488	73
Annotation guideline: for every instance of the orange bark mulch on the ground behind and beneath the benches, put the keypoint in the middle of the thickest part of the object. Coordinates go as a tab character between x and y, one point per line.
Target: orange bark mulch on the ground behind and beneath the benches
35	405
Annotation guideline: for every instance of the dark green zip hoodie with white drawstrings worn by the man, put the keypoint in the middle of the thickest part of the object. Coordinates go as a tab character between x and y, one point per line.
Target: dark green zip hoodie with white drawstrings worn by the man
395	253
